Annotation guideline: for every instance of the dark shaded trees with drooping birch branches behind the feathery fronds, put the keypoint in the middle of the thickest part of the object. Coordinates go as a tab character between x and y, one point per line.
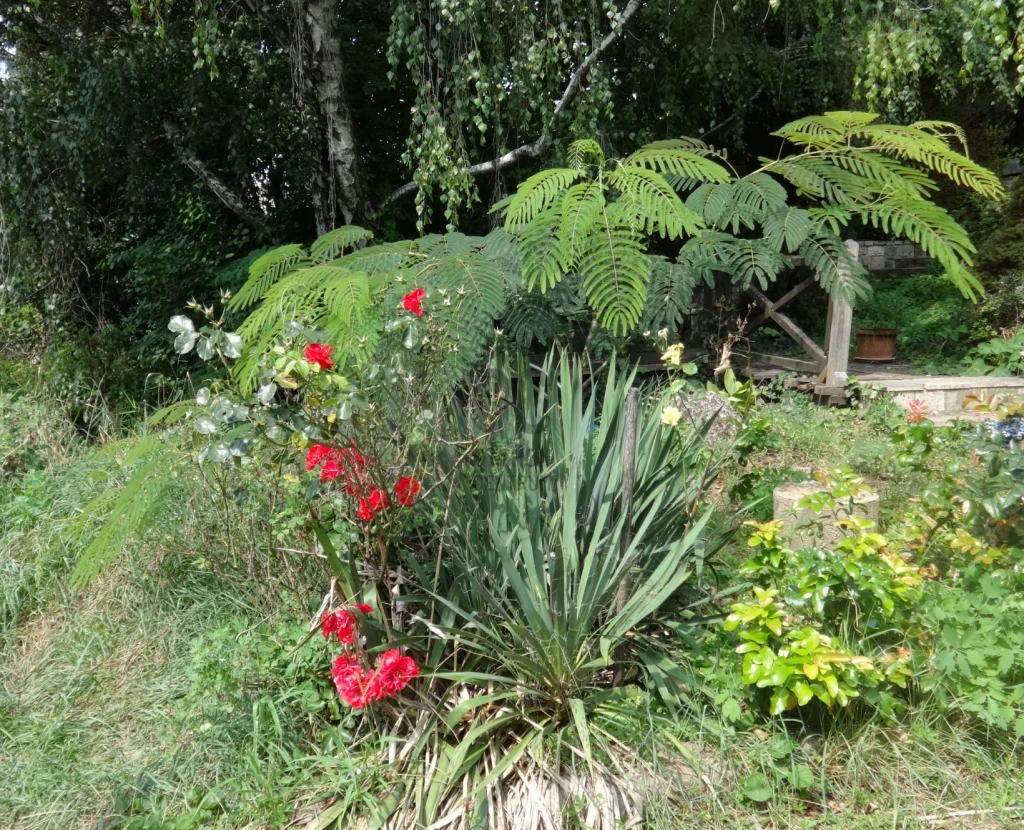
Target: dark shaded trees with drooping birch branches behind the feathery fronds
139	162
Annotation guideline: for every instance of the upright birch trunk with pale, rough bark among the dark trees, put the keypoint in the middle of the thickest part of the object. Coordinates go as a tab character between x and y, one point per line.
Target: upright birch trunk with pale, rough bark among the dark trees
346	196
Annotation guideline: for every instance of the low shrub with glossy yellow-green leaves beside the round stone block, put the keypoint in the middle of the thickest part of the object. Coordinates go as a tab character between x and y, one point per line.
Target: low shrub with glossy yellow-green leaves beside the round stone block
821	621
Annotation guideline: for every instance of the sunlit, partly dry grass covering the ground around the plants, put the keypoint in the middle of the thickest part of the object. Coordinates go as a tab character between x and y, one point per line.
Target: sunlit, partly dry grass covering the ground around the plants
101	703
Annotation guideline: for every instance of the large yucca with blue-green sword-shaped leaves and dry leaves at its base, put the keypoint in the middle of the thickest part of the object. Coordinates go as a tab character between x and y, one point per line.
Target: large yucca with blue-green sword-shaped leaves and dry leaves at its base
535	652
